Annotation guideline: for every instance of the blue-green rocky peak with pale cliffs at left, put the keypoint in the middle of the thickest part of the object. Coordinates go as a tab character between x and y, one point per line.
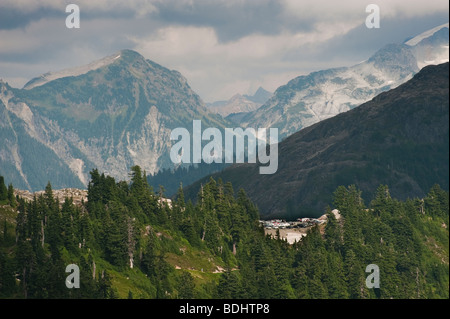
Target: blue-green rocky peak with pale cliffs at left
111	115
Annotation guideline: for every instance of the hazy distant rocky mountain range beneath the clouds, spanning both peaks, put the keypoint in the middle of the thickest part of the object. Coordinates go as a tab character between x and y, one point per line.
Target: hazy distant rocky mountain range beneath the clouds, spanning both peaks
119	111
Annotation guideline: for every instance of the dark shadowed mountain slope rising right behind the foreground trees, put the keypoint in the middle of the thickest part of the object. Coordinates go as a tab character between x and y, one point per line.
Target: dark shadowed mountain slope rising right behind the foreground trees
400	139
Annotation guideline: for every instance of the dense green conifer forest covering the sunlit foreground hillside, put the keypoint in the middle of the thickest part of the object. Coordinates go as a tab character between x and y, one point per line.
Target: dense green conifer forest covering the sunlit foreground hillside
129	243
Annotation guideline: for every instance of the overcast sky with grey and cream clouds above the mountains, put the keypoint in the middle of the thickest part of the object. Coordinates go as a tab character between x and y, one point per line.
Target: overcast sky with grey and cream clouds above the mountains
222	47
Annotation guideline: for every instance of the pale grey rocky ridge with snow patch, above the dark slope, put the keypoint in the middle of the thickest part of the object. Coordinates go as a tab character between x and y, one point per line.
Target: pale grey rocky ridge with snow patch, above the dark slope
309	99
